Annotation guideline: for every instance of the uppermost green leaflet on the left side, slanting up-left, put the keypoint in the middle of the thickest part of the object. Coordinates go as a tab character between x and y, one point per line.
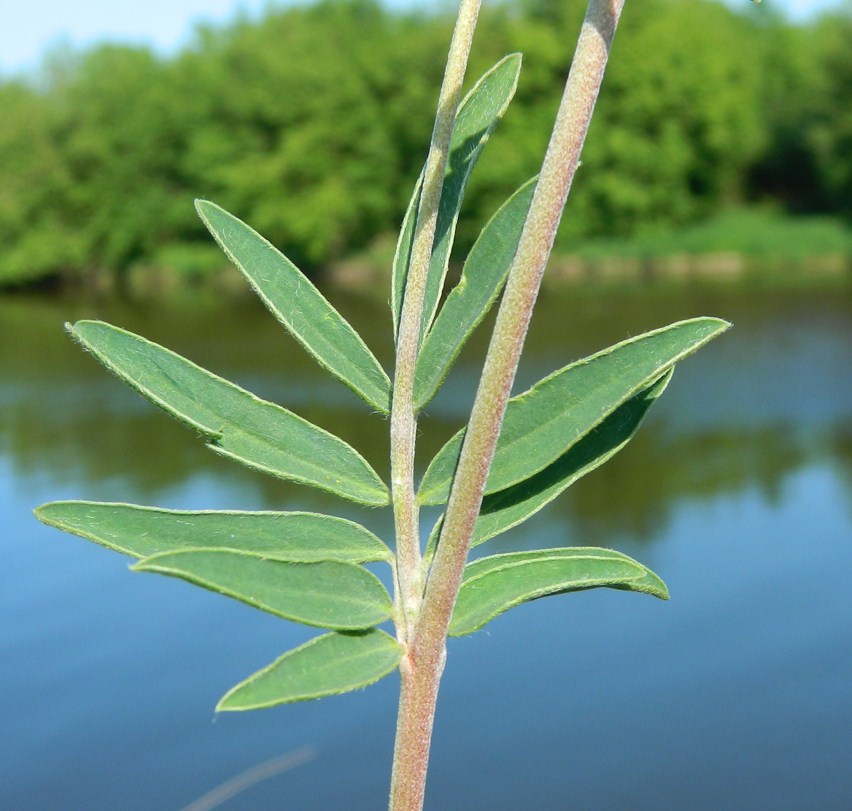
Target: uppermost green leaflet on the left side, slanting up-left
299	306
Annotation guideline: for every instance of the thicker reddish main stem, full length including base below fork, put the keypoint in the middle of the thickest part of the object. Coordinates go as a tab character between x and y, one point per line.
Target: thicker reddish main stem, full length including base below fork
423	664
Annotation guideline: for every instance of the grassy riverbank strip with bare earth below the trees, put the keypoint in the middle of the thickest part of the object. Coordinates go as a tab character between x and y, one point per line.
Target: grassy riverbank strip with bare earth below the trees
750	247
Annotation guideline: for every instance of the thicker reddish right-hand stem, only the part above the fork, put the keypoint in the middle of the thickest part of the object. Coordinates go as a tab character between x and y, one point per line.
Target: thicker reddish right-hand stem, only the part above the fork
501	363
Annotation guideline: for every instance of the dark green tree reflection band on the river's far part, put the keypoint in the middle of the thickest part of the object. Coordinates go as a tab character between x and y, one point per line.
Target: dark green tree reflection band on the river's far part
744	415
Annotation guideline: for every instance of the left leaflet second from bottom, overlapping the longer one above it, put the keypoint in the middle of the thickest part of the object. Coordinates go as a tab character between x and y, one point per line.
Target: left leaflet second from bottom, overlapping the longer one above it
330	594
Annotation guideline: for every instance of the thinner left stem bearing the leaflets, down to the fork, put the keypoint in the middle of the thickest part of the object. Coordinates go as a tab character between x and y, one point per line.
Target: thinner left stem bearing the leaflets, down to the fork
403	421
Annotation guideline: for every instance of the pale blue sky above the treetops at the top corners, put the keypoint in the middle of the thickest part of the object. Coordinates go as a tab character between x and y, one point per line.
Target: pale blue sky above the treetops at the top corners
29	27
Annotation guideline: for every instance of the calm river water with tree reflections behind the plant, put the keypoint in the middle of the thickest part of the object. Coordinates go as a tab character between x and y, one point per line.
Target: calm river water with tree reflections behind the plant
736	694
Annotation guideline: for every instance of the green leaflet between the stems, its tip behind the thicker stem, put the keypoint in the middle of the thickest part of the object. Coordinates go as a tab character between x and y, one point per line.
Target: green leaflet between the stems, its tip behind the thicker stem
483	276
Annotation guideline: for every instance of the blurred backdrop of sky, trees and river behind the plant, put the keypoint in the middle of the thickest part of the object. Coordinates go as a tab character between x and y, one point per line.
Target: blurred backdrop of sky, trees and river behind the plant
717	180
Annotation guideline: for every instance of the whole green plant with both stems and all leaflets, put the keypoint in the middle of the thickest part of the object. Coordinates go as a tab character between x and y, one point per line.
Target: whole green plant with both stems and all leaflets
511	459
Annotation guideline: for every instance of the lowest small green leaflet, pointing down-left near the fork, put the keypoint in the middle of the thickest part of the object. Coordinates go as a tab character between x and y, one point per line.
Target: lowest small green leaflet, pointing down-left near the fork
325	666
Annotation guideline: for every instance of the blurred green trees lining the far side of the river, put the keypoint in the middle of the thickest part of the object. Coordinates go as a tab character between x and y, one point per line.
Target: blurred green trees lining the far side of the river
311	124
